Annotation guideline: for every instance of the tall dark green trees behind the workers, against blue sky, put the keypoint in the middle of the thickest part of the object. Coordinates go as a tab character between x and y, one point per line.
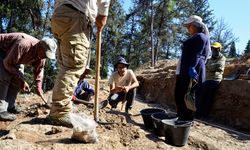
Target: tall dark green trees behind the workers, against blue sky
126	33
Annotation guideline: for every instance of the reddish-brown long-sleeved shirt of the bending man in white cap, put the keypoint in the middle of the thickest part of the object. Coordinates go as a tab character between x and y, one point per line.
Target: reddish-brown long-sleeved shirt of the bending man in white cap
21	48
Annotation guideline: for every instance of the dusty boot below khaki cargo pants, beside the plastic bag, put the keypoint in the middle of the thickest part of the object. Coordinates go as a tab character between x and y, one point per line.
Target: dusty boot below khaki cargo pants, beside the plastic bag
63	120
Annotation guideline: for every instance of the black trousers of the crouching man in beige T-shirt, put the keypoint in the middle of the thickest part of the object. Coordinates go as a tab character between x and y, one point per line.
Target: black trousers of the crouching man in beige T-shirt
115	98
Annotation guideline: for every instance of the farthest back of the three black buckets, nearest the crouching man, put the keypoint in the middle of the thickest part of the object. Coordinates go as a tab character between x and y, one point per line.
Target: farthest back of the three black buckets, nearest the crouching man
146	116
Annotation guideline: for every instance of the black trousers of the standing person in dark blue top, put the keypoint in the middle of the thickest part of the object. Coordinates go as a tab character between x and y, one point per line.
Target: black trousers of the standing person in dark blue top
181	87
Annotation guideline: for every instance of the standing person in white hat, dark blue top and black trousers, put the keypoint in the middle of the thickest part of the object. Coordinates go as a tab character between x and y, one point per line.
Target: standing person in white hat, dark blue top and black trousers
195	51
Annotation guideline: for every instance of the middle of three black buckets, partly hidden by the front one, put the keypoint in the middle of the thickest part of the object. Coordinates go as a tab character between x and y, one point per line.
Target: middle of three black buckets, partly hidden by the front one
157	121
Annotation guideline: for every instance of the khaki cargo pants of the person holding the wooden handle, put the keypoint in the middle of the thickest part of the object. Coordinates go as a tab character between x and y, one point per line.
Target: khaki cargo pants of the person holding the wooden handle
71	28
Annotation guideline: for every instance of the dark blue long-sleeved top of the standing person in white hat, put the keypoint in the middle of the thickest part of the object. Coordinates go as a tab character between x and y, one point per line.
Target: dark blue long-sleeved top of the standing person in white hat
194	54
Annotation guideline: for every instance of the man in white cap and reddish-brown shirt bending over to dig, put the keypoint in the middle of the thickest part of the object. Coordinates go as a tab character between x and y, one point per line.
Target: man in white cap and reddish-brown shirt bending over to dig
17	49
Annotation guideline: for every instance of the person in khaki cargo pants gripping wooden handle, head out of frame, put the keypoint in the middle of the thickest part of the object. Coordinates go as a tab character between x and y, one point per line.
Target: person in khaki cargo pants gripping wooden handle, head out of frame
71	25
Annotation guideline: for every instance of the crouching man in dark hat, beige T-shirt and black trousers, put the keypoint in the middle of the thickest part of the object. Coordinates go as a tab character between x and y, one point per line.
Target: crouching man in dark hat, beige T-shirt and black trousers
123	85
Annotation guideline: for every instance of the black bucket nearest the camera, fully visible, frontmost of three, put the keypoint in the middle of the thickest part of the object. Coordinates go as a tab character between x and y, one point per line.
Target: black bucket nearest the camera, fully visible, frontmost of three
176	132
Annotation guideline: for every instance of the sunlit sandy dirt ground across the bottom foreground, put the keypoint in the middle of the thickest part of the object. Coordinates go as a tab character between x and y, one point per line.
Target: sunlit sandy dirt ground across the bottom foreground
118	131
